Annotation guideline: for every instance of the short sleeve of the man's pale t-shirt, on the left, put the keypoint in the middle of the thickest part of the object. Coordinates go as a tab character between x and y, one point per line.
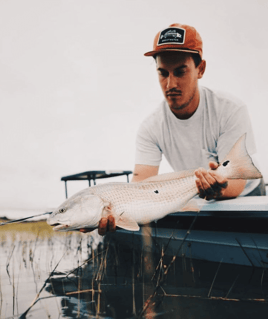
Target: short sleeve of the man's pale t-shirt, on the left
148	151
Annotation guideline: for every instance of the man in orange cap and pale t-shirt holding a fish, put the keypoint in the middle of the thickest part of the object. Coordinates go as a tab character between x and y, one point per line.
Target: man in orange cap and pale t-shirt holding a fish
194	126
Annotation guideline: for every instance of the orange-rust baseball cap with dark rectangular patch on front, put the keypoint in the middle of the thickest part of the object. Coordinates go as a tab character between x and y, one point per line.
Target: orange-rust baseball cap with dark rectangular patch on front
177	37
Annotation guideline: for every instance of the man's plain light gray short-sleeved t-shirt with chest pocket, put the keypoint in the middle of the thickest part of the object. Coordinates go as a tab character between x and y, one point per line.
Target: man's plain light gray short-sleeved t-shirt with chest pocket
207	135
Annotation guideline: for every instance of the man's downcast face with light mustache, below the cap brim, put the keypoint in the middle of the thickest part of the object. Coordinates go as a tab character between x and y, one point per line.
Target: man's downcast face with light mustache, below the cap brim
178	78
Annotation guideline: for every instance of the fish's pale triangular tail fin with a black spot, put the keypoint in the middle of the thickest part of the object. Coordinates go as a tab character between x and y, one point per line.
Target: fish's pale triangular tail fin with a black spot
238	164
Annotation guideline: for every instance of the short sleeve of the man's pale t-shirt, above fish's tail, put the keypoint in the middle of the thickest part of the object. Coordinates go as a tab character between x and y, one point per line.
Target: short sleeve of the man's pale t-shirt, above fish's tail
232	128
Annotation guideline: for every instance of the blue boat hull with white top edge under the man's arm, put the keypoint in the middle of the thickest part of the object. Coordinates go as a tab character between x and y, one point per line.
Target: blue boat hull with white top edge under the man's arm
233	231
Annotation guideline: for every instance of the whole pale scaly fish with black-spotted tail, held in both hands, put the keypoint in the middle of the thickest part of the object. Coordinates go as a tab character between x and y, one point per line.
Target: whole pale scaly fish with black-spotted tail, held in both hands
135	204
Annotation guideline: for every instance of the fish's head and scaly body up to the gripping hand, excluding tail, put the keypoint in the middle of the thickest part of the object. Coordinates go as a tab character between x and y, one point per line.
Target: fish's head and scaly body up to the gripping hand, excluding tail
130	203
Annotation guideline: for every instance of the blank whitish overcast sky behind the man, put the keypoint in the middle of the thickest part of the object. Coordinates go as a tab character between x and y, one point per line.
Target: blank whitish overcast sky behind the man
74	84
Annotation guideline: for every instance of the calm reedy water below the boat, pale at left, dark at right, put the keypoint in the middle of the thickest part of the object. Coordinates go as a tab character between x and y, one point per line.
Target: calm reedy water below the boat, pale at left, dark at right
73	275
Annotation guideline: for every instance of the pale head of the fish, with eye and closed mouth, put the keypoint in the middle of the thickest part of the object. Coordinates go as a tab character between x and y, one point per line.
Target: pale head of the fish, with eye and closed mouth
80	211
